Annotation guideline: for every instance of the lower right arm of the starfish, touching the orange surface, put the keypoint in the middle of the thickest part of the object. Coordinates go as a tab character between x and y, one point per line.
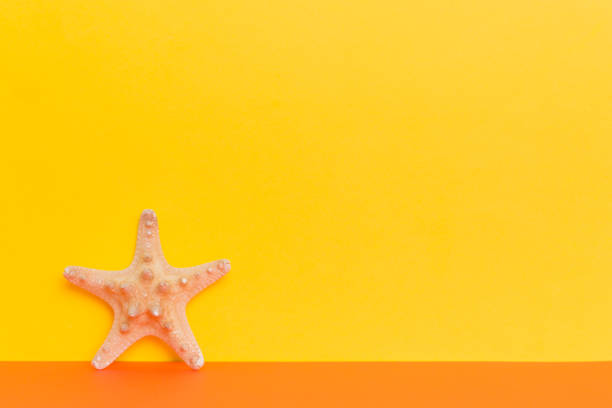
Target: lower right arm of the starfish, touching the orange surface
180	337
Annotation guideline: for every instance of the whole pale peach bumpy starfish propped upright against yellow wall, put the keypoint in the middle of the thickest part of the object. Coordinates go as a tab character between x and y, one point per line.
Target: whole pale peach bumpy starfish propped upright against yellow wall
148	297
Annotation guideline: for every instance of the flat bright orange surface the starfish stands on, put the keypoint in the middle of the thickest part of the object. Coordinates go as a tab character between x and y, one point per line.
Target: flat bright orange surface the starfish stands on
307	385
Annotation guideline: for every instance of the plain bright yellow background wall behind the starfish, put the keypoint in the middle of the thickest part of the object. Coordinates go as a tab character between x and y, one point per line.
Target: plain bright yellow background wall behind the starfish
392	180
